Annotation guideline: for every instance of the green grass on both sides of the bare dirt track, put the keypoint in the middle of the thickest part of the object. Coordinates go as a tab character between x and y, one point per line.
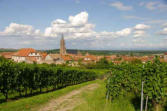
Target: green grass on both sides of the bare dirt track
92	101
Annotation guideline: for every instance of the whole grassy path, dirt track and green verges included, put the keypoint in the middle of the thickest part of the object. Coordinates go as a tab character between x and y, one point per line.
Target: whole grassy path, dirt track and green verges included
89	96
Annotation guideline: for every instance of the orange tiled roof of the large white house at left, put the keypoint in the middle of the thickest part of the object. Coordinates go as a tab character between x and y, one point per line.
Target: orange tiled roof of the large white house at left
24	52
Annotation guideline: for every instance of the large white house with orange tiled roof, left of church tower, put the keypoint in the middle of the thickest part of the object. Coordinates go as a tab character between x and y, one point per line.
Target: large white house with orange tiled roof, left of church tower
28	55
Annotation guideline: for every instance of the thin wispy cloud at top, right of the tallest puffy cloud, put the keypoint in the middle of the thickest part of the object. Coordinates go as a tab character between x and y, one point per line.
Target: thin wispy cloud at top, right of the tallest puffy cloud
120	6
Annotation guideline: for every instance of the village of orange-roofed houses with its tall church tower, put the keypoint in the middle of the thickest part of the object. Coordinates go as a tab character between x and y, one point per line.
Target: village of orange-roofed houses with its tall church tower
30	55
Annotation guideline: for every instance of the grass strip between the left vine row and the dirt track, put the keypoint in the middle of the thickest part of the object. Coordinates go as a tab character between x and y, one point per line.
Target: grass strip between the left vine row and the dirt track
31	103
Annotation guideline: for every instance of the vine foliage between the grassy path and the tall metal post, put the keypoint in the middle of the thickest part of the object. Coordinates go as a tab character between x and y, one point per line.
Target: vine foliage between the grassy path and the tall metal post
124	78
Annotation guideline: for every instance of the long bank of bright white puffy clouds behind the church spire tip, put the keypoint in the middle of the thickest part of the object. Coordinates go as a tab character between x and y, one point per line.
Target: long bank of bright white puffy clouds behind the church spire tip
77	27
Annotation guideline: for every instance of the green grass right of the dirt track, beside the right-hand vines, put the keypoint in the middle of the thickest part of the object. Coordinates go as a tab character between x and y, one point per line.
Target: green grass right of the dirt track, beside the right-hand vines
96	101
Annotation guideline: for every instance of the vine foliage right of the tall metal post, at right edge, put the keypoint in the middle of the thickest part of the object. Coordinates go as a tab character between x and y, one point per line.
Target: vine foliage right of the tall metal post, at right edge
155	75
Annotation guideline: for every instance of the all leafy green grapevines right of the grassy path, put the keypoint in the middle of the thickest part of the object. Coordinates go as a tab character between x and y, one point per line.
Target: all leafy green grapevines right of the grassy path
127	78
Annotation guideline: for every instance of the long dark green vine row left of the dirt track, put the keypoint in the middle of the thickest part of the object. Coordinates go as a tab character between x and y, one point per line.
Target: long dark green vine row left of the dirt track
22	79
